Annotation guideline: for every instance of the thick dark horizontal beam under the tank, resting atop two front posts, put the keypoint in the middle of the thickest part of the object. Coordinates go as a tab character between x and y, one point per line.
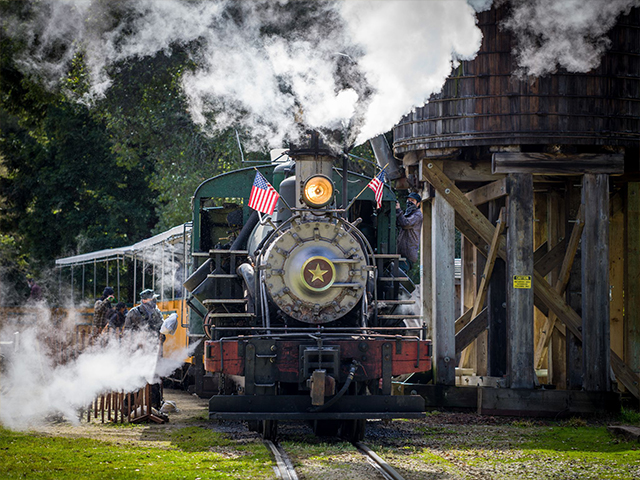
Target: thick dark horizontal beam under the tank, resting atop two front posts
548	164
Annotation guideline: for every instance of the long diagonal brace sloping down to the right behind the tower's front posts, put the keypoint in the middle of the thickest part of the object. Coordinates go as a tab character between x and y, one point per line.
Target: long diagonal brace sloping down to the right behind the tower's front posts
482	228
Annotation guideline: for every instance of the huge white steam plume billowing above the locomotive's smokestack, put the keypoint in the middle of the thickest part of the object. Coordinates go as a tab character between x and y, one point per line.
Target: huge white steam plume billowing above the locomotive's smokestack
353	66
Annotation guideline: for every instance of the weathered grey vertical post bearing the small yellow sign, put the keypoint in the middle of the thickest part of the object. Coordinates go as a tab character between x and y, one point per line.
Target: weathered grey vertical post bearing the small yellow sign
520	281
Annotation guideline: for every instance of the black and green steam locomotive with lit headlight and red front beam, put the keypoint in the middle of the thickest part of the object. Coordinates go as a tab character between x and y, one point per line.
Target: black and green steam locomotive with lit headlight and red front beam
303	312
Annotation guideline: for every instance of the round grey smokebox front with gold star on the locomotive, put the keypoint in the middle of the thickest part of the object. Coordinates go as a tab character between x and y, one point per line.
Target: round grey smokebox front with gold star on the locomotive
315	271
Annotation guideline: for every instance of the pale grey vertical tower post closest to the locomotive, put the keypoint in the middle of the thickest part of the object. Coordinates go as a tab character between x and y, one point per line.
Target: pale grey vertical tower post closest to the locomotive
443	292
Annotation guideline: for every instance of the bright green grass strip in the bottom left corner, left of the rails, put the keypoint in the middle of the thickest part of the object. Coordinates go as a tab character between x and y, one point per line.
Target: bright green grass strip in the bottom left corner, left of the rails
193	454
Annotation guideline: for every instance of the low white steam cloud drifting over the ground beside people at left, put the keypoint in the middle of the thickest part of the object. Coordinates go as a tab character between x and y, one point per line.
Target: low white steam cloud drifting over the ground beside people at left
36	380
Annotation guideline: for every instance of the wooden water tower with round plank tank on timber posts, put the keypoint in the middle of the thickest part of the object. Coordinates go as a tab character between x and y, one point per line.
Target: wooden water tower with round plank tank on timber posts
541	176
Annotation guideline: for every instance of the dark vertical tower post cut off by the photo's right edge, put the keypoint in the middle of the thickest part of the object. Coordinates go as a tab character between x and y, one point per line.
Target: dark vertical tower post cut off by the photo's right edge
632	278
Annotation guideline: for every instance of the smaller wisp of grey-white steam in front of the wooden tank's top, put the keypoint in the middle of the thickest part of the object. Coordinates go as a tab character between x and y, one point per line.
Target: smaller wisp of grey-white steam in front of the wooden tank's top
569	34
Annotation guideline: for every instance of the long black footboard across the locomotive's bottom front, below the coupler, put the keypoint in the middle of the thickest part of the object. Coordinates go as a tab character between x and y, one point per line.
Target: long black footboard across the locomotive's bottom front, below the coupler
298	407
